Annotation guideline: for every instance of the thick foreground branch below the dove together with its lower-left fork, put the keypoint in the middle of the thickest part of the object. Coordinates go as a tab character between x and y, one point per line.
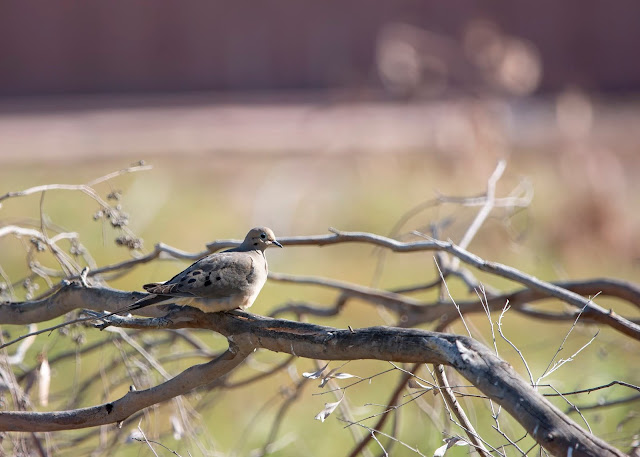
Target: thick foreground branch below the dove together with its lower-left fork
494	377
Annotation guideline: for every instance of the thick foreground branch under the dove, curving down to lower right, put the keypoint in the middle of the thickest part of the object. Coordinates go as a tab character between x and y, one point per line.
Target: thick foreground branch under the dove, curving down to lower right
491	375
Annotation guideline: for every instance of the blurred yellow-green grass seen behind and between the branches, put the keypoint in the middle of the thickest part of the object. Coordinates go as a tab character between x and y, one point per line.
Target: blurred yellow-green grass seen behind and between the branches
187	202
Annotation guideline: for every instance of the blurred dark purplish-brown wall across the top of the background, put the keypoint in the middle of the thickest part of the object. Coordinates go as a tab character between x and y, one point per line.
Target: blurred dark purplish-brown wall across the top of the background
90	46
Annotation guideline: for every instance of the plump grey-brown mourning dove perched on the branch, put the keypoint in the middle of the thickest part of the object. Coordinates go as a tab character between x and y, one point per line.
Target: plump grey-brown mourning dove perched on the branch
221	281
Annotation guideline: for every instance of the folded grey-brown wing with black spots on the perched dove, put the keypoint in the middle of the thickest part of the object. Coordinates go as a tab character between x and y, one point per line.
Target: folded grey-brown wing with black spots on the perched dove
216	276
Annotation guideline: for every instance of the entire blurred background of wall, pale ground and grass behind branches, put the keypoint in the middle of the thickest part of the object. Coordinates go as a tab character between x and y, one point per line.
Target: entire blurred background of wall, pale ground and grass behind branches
306	116
